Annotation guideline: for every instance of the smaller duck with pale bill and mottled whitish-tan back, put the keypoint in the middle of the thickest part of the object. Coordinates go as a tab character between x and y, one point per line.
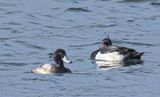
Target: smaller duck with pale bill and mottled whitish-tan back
59	57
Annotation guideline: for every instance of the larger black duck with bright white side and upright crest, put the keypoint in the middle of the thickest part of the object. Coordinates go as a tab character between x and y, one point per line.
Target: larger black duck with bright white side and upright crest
109	52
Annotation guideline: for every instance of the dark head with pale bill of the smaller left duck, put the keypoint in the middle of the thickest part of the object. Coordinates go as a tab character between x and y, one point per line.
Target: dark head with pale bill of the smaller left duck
60	55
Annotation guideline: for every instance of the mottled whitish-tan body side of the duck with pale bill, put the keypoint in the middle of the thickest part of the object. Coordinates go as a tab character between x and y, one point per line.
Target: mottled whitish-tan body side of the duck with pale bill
44	69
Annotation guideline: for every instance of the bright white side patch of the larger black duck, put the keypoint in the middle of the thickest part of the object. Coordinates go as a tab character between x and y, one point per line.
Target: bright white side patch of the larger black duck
112	56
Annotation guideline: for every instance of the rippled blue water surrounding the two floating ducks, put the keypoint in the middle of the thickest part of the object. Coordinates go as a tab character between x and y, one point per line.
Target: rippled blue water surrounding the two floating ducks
30	29
